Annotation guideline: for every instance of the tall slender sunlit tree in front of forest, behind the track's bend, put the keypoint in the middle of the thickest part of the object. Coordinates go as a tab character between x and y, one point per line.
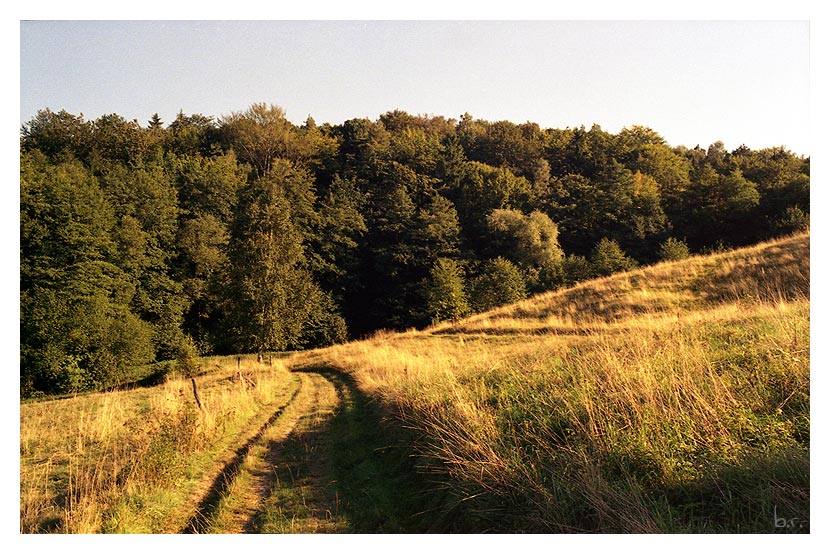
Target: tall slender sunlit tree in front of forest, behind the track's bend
276	303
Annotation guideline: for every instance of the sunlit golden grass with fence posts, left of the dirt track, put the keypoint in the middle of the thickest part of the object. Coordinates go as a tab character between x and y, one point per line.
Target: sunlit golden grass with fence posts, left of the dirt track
130	461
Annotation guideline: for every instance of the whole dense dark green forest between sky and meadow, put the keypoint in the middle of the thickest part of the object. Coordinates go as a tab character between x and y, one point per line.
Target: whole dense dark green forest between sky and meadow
248	233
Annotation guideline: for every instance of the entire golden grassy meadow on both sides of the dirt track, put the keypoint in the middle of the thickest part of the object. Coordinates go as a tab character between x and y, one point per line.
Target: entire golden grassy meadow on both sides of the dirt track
672	398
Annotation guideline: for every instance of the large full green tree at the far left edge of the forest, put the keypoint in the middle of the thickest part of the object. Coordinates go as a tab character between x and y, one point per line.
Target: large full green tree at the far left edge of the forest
78	330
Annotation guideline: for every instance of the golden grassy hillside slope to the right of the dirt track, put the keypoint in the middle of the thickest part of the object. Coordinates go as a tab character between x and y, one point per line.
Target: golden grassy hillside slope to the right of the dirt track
672	398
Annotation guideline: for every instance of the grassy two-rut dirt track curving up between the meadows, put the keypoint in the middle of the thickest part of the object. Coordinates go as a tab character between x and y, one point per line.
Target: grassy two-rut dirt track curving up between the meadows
322	464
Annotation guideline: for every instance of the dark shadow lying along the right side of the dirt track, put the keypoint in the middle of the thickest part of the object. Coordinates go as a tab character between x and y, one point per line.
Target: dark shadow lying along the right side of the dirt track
355	472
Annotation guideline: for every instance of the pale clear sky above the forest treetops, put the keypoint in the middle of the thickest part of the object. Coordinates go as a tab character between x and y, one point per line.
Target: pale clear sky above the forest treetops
693	82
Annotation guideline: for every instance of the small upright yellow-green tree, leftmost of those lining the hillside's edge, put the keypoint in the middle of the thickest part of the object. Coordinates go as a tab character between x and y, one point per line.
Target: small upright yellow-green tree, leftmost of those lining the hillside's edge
445	297
